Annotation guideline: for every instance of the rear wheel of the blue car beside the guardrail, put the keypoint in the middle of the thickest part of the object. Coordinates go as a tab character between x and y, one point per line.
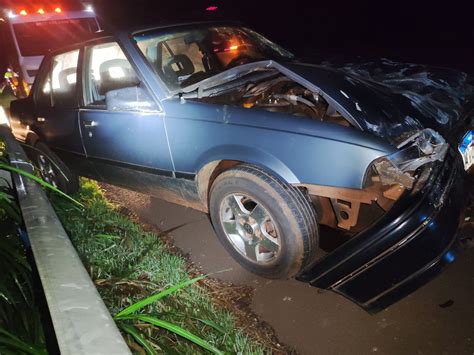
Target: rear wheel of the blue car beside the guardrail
53	170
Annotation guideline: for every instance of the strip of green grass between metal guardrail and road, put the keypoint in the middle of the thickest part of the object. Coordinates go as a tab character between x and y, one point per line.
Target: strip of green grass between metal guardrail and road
129	264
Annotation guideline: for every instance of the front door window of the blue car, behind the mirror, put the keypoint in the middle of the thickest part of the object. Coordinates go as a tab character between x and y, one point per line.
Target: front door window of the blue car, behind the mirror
111	82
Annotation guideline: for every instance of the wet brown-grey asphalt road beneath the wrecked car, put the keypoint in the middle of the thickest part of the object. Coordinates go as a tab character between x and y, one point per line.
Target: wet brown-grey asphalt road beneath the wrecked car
436	319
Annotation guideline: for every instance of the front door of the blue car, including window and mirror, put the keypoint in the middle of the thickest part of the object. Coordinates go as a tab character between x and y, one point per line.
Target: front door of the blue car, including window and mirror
122	126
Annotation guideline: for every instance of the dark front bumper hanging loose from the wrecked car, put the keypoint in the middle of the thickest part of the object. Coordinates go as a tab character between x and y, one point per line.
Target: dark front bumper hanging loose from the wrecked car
403	250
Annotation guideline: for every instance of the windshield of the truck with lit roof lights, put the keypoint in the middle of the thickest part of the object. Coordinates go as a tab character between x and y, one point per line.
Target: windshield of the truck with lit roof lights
36	38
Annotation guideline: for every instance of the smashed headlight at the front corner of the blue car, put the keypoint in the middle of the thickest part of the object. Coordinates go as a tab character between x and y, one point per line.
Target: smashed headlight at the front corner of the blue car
424	147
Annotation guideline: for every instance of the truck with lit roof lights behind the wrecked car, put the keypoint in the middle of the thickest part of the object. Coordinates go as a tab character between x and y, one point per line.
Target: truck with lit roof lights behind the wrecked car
28	32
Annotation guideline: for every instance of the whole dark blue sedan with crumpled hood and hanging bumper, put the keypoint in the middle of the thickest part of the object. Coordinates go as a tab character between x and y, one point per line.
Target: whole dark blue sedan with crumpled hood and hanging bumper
346	177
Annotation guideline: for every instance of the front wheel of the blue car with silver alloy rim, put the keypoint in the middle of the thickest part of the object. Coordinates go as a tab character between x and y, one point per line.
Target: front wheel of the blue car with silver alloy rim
269	227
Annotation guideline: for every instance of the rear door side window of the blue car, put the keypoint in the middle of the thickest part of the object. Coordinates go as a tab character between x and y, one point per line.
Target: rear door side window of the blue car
63	80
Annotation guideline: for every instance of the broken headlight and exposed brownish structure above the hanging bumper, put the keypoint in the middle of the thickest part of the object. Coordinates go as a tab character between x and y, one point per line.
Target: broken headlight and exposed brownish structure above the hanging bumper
387	179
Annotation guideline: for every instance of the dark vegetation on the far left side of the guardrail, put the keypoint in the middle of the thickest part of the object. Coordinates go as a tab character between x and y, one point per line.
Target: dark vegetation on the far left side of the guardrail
21	330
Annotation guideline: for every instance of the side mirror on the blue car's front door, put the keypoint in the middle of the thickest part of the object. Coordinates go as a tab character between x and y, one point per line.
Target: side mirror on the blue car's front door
134	98
